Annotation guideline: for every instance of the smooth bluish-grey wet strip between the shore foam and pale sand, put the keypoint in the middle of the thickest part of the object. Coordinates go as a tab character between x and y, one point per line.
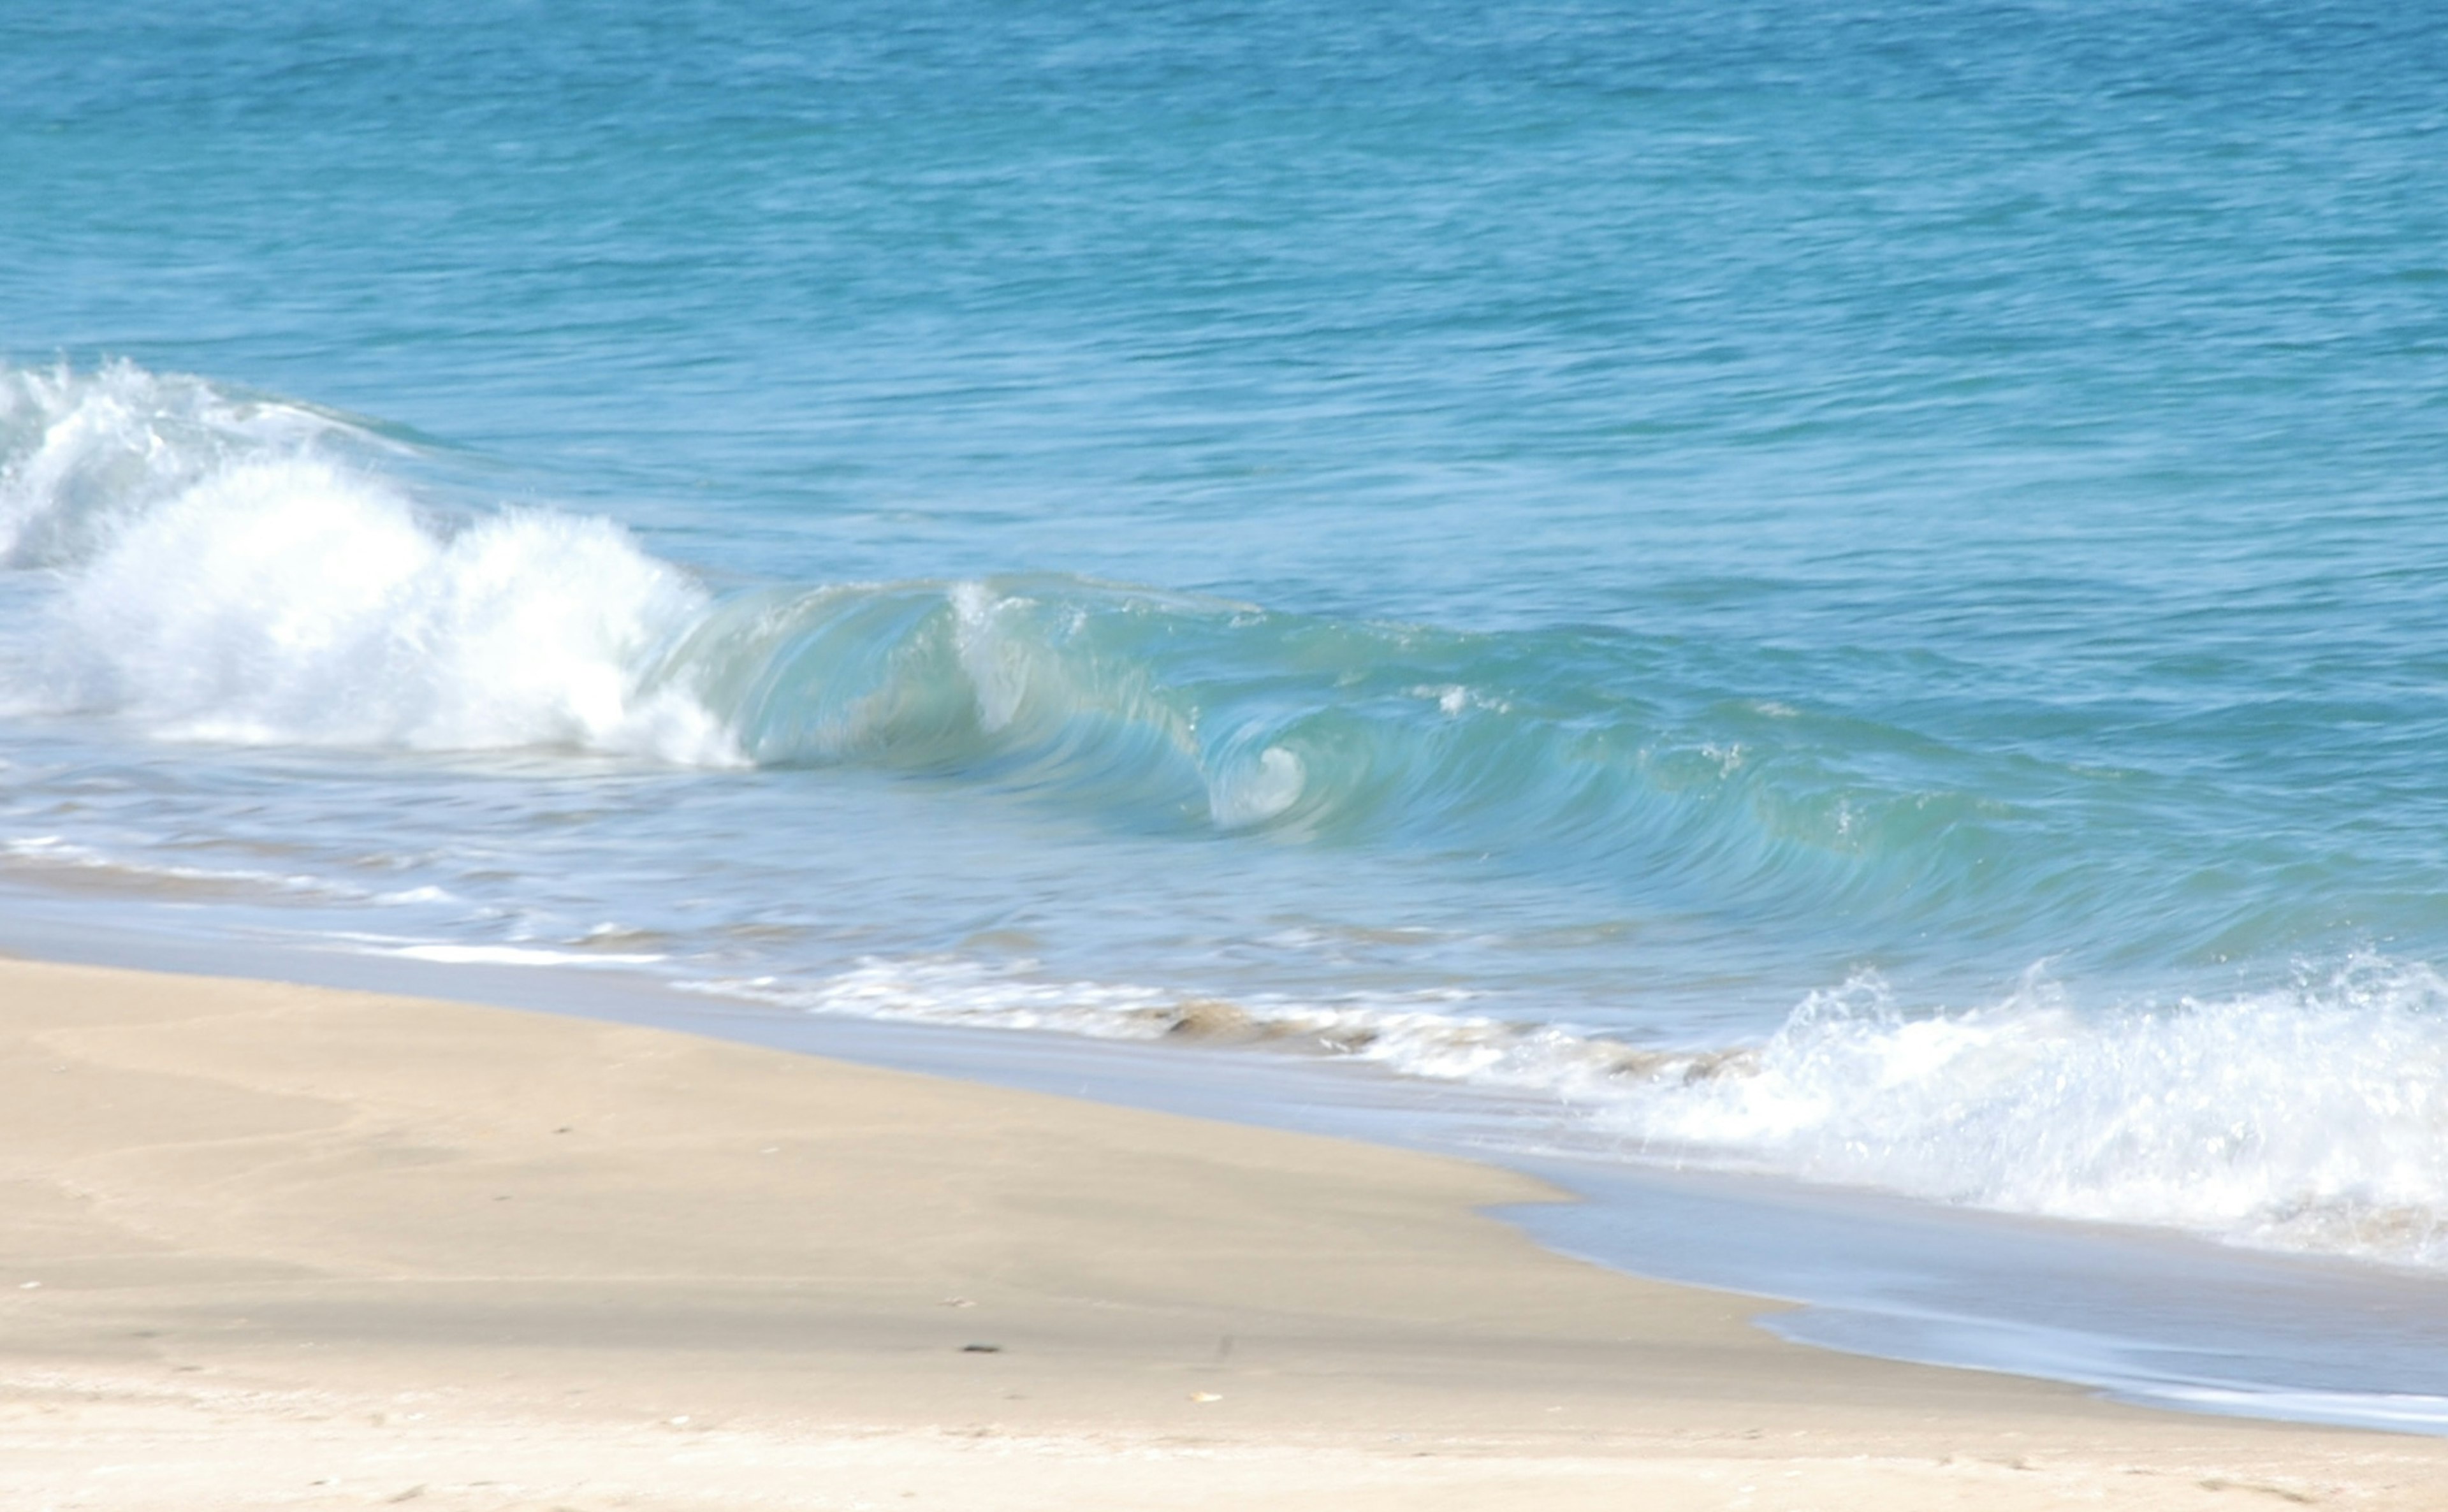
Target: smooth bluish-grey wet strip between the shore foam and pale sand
2136	1315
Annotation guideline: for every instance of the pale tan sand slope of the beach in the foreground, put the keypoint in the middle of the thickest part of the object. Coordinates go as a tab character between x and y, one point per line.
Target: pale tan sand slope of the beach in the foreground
307	1249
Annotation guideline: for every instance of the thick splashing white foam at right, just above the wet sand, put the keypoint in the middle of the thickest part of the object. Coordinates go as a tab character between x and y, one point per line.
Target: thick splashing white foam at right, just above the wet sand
2310	1117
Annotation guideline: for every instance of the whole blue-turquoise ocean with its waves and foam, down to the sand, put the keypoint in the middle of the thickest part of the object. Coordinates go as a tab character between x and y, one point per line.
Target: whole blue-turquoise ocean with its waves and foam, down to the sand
1832	601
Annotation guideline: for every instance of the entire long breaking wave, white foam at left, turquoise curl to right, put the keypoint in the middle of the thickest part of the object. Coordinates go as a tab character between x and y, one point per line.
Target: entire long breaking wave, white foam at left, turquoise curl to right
236	569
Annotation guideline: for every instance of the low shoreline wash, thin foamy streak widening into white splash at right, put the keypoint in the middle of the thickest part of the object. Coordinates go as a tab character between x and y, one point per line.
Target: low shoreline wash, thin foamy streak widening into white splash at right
2307	1117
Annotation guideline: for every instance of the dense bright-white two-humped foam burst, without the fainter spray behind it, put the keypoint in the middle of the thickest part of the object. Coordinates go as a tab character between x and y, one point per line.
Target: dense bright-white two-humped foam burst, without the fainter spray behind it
290	601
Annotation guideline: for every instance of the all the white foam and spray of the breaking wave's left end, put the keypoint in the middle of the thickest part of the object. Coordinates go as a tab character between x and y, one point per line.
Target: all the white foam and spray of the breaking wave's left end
226	579
